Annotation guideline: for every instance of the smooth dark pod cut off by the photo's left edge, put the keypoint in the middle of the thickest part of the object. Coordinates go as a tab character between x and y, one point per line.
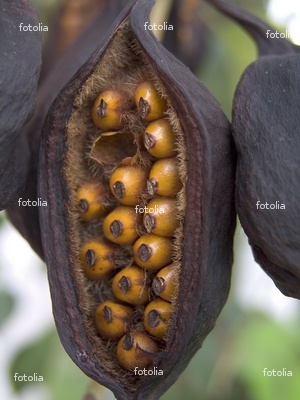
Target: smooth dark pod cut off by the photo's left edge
19	70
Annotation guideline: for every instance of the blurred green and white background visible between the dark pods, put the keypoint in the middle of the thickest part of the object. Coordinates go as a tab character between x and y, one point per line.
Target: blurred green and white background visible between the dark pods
257	329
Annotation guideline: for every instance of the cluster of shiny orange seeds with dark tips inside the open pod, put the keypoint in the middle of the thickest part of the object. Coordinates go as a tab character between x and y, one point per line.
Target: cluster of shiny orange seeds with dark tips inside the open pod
137	215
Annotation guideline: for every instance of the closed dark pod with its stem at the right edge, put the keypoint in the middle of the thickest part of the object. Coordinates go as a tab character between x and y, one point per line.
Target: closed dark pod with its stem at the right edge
265	129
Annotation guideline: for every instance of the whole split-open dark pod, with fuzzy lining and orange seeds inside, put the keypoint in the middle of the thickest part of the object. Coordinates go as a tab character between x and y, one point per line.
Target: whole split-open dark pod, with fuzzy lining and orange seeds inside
95	235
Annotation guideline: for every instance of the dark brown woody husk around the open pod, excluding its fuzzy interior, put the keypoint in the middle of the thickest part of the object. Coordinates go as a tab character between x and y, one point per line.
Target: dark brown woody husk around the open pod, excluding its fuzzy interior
208	226
